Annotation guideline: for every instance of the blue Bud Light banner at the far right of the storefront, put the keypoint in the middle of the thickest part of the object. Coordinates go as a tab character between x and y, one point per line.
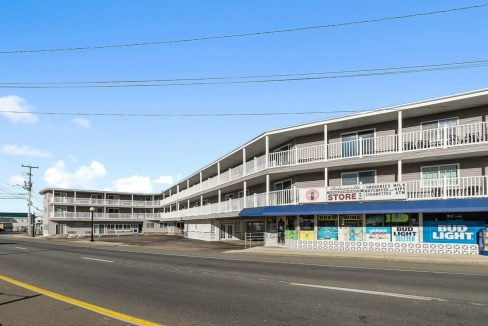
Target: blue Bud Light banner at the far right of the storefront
452	231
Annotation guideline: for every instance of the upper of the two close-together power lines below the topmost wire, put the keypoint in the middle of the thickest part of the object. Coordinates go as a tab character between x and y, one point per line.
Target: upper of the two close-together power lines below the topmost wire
448	64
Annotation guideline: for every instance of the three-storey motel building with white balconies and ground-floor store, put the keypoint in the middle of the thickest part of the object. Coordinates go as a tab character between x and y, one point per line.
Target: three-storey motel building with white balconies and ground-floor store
408	178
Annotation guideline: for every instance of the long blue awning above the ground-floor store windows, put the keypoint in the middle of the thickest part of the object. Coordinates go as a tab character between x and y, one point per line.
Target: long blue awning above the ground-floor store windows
414	206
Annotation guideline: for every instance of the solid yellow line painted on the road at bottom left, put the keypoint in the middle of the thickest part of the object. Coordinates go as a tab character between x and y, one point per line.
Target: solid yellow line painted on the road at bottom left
82	304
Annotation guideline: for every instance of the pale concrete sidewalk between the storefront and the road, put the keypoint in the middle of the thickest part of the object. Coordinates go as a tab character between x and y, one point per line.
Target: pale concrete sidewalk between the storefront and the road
365	256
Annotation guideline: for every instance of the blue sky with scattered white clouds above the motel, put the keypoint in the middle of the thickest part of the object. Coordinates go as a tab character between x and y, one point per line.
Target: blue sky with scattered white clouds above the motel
148	154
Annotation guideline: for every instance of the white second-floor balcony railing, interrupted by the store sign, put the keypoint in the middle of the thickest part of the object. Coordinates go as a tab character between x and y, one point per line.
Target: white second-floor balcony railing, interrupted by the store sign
454	188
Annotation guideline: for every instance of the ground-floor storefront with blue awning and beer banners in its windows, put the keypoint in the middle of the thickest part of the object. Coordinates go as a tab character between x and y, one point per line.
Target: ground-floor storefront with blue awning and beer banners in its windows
420	226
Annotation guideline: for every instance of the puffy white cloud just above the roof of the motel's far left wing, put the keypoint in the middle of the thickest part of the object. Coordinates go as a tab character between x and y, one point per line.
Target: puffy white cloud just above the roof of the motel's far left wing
83	177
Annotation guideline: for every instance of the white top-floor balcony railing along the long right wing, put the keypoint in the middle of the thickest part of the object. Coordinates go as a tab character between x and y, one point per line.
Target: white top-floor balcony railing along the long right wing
408	141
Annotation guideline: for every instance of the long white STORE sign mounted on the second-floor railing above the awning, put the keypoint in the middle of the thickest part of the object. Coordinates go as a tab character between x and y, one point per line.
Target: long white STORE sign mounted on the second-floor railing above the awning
365	192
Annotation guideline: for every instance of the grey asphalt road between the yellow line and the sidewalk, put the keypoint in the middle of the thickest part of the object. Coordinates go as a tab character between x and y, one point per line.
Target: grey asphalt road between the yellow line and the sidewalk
176	289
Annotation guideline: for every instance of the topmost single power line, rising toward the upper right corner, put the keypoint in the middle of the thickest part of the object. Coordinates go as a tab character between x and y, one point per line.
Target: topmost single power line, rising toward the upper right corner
249	34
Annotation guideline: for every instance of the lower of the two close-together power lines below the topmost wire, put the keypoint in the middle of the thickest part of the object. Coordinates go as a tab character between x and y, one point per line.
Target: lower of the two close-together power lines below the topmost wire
117	84
